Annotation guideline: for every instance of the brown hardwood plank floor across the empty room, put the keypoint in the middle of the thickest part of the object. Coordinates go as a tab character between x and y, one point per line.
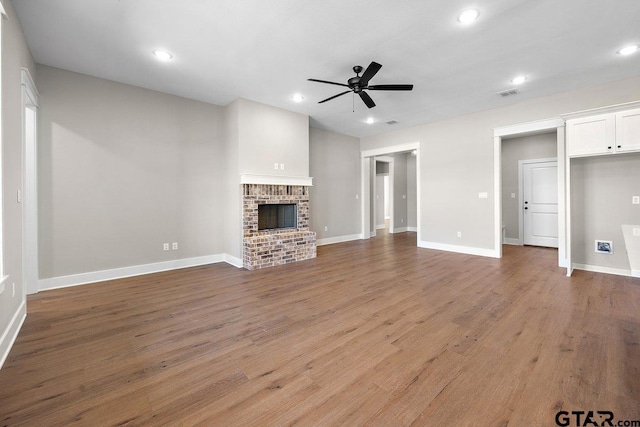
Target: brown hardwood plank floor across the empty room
374	332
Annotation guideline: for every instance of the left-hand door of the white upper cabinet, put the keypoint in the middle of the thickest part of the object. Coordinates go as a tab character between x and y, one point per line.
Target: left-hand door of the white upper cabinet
591	135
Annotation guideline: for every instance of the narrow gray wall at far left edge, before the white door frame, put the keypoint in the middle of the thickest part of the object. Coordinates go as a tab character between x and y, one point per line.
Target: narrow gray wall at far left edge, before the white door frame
15	54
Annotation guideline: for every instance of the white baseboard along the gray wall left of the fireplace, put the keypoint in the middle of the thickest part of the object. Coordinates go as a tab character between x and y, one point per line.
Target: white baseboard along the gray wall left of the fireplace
135	270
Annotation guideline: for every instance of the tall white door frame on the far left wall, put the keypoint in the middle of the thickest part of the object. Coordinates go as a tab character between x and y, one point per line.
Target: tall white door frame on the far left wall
30	269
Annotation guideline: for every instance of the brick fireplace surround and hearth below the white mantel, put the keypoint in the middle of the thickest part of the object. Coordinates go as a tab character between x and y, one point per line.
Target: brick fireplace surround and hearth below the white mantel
266	248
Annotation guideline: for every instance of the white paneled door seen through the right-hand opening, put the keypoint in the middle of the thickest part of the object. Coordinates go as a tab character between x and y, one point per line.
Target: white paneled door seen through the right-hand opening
540	208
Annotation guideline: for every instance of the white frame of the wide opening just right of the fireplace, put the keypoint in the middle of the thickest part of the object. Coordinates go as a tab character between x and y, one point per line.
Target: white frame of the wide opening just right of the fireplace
366	157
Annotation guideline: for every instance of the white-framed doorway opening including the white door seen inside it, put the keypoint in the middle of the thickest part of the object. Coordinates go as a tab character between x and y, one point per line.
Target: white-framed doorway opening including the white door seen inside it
529	183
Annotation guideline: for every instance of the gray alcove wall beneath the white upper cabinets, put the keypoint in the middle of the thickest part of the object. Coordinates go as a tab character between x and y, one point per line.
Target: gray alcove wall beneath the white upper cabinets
601	191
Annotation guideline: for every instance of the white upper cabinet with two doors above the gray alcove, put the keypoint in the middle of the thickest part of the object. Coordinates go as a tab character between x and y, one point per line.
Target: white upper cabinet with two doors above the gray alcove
615	132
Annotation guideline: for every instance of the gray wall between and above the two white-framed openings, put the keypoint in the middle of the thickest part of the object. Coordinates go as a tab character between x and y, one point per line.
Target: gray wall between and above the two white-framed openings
457	160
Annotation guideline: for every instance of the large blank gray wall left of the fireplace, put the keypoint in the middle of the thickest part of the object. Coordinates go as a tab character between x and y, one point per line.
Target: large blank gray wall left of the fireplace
123	170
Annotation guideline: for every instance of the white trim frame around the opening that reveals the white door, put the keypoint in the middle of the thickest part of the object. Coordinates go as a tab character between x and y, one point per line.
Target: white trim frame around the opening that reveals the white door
524	129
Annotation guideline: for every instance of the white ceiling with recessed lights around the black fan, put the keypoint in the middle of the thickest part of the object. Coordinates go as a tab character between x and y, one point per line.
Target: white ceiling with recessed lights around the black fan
265	50
